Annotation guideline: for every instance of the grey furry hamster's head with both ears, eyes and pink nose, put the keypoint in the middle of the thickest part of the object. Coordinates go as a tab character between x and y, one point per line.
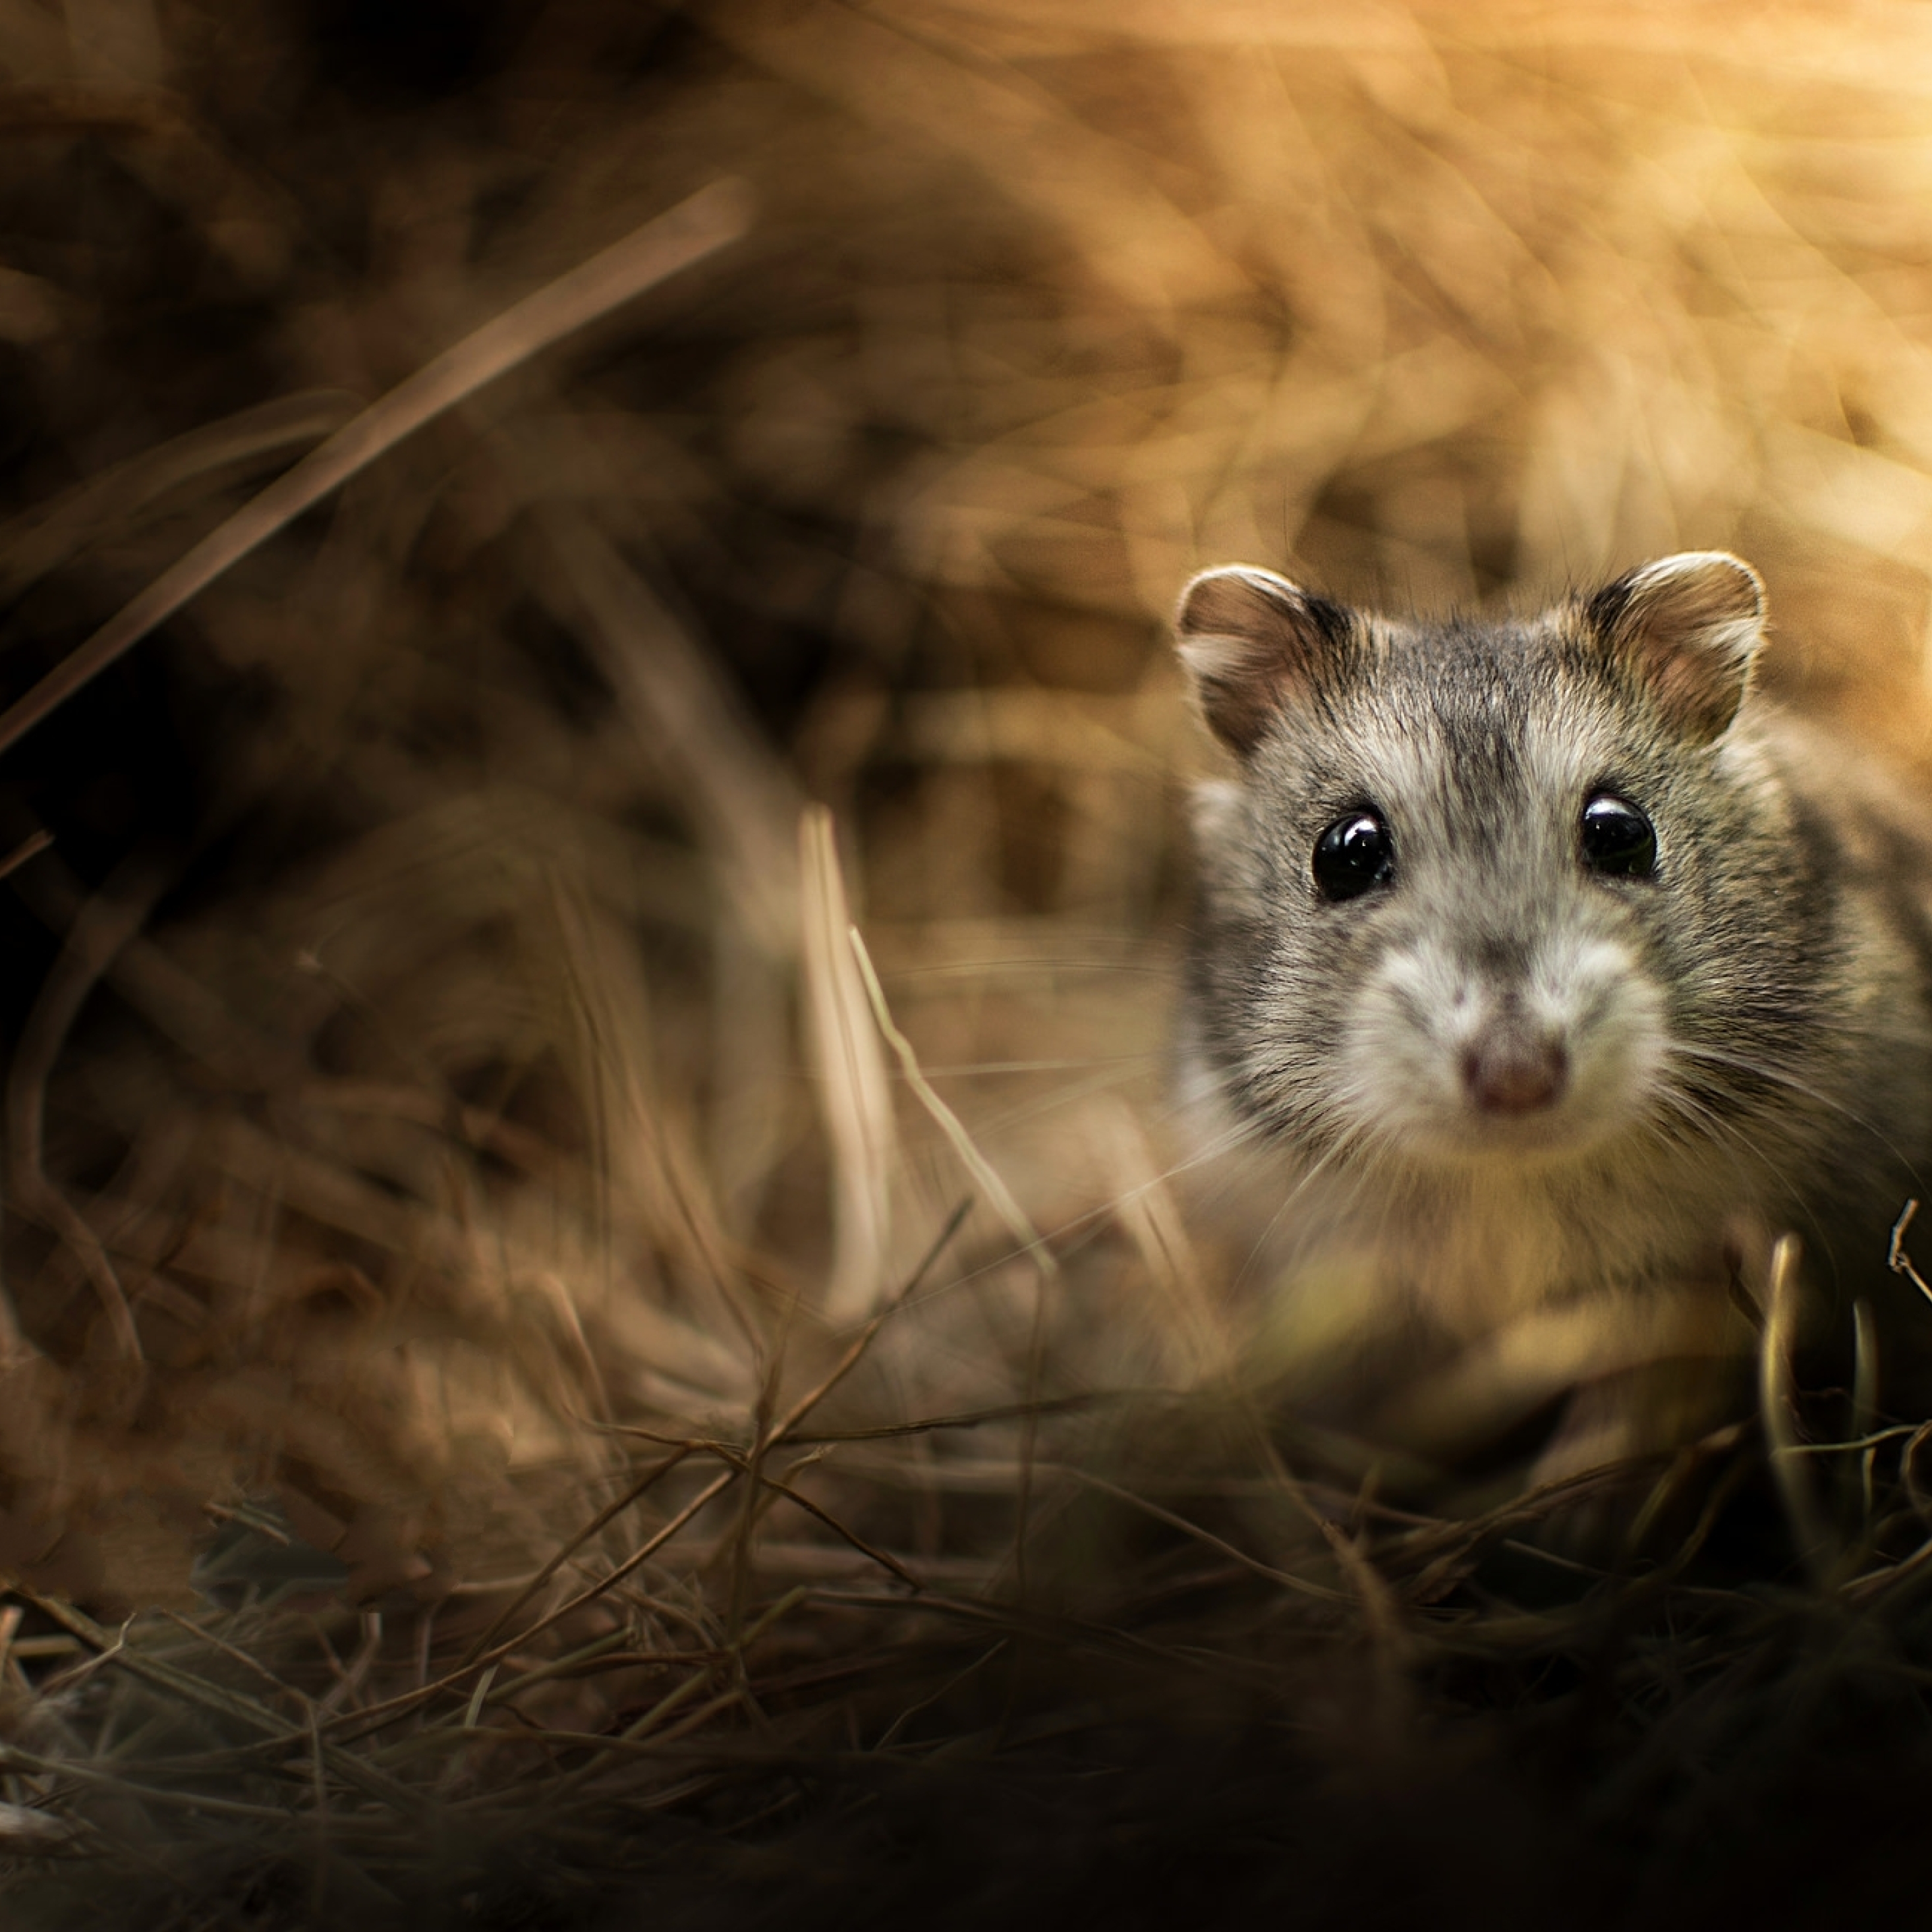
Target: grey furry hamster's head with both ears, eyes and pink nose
1487	894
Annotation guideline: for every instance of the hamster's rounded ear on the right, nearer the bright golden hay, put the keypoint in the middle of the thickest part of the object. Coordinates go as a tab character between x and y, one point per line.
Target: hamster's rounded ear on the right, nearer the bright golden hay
1690	629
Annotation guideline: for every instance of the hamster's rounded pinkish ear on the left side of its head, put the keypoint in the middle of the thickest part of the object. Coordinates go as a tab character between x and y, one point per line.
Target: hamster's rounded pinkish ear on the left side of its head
1253	644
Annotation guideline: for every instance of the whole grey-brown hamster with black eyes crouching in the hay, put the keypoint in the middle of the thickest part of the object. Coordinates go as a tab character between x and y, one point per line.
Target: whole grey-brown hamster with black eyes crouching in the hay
1543	973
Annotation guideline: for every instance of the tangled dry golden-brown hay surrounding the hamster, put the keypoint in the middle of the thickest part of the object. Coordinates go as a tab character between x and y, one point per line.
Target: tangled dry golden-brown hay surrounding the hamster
544	1386
